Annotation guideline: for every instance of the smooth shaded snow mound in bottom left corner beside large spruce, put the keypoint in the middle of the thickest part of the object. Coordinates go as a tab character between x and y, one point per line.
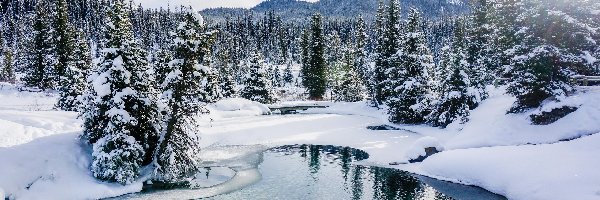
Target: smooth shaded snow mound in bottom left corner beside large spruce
55	166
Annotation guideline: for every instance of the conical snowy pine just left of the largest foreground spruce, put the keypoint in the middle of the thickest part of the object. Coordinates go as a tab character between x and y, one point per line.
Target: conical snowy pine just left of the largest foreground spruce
74	79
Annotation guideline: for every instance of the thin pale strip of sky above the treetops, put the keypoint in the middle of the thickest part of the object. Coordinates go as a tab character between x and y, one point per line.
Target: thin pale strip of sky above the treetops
202	4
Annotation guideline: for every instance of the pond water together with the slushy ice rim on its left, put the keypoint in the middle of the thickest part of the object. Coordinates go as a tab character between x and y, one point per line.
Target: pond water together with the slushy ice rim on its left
311	172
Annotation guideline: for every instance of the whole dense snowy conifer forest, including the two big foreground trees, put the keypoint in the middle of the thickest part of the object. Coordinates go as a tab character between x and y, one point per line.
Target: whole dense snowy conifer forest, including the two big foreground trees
140	76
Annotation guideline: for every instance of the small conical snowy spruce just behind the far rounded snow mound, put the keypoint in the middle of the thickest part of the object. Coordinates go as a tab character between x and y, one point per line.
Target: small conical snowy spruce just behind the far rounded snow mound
256	84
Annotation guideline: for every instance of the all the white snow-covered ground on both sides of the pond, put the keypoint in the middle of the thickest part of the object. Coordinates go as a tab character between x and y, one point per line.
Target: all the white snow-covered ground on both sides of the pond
41	157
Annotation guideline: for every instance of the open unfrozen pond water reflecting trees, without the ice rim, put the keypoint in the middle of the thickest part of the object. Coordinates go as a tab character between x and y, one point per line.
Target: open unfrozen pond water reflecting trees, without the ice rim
327	172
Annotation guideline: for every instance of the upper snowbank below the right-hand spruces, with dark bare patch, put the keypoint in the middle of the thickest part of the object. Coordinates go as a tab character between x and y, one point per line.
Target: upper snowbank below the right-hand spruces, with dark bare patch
489	124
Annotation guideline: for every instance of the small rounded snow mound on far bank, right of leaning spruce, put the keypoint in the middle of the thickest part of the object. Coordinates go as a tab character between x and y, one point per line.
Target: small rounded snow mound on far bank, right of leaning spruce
237	107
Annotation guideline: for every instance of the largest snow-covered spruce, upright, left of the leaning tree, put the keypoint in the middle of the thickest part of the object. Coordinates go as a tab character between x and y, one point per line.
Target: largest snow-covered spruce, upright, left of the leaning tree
121	112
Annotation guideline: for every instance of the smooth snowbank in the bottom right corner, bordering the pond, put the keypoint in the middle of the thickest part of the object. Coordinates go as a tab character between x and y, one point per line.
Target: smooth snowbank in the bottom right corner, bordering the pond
566	170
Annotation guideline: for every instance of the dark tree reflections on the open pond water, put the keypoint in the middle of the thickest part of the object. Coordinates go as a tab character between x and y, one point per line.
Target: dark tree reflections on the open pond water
386	183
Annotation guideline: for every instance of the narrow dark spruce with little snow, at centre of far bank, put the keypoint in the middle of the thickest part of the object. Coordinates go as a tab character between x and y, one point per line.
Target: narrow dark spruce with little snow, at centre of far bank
315	79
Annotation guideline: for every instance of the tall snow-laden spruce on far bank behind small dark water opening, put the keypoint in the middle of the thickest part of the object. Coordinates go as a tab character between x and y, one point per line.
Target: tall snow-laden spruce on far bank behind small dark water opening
409	103
